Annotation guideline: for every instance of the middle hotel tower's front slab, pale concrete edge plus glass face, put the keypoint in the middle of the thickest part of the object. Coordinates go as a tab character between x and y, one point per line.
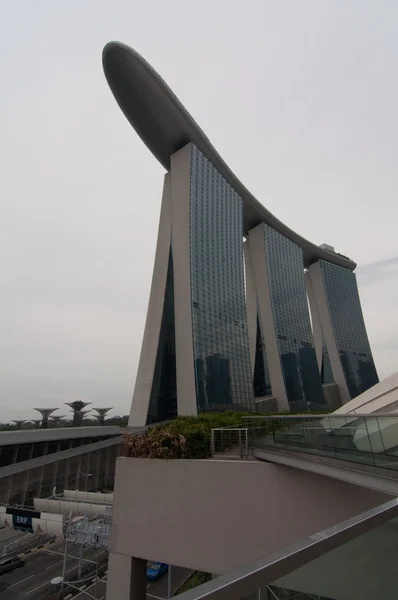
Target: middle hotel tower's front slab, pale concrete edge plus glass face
285	321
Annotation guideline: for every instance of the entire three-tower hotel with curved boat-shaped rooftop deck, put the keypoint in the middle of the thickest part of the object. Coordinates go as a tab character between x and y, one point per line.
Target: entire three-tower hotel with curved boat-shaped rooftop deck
244	313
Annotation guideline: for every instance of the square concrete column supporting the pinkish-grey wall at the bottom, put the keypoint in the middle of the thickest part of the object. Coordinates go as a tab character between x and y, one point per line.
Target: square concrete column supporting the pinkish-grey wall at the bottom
126	577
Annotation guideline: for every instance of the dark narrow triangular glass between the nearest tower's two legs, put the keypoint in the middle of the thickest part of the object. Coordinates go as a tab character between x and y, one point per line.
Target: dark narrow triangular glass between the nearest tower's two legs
163	401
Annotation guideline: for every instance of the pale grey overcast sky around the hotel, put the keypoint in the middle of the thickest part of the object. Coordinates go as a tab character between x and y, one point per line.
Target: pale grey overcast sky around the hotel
300	99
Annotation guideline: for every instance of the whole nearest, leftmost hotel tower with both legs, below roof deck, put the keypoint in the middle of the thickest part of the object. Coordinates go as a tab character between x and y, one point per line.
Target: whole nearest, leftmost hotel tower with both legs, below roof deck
195	354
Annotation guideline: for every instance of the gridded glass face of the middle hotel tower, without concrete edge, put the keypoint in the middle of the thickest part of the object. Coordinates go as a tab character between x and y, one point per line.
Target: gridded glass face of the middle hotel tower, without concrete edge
292	322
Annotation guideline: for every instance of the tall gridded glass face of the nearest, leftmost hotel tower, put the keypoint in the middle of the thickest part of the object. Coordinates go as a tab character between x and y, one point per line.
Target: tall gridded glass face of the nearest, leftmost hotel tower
219	323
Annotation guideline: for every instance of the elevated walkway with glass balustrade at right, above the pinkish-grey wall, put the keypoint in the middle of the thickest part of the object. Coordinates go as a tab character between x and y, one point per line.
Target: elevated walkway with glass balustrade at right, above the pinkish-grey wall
360	449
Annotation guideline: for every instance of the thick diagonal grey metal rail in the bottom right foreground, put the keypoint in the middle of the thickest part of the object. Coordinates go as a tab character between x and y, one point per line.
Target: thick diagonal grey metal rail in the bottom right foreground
258	575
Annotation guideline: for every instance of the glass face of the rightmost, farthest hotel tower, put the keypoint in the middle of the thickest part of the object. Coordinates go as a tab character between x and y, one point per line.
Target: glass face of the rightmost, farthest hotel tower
349	329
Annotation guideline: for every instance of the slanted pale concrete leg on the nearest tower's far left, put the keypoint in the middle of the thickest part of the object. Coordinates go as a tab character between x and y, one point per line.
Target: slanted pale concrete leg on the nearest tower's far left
145	380
